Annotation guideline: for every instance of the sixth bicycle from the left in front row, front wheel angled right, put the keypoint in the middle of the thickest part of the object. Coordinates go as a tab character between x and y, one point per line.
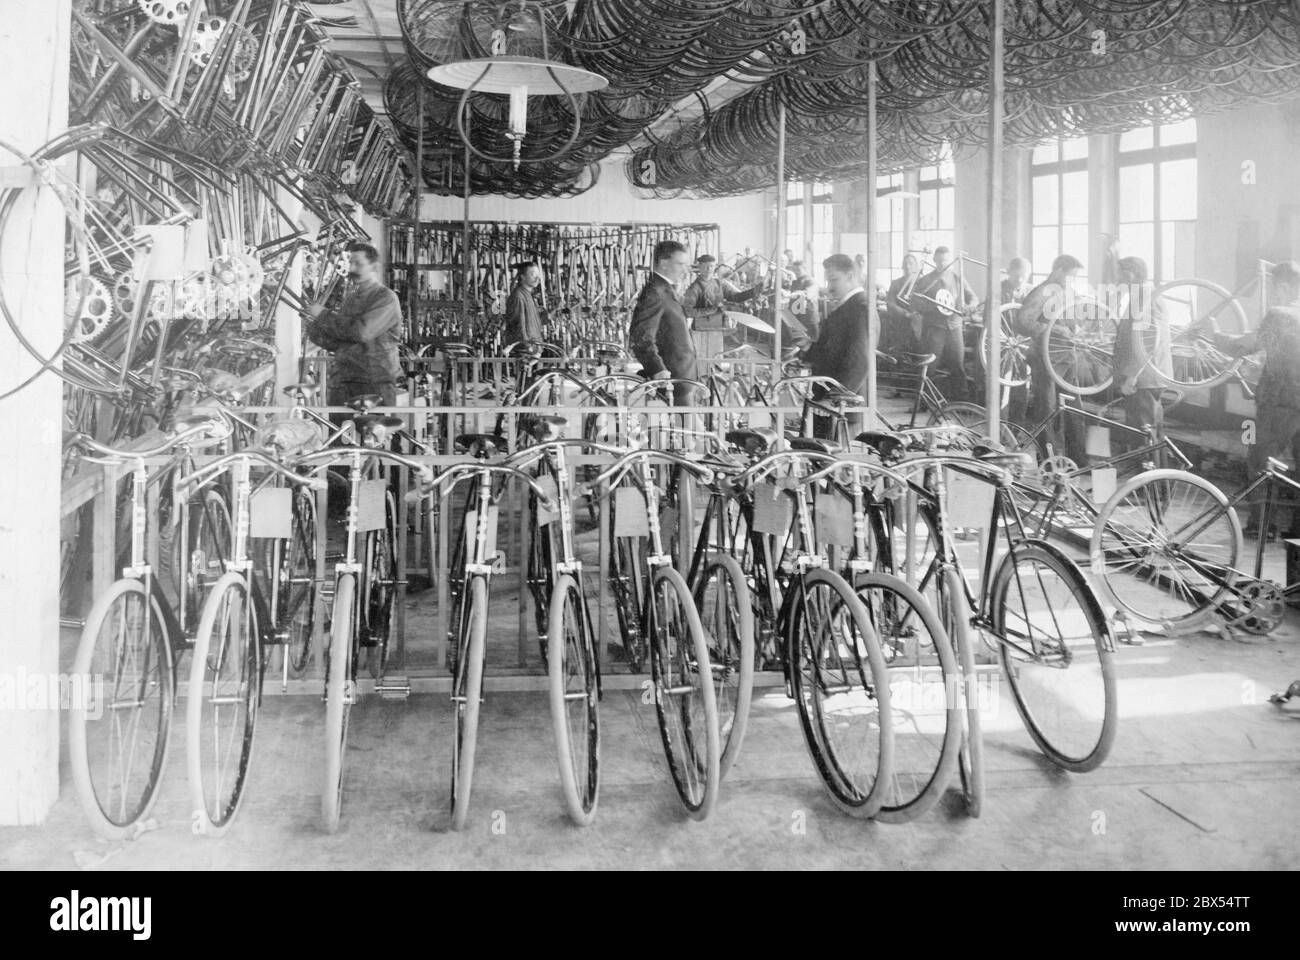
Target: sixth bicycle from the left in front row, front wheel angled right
658	619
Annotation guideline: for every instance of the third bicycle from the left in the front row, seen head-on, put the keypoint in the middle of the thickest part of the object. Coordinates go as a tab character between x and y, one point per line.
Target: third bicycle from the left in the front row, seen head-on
369	512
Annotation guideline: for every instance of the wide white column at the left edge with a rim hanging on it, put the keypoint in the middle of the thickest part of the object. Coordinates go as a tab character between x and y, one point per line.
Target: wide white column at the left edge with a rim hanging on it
34	75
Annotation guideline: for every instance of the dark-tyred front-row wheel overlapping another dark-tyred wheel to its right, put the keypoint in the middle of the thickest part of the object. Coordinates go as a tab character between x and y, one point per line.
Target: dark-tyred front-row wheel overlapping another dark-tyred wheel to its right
842	689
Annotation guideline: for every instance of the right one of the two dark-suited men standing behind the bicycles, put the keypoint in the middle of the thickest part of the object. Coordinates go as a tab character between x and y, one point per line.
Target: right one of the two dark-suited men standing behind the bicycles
843	347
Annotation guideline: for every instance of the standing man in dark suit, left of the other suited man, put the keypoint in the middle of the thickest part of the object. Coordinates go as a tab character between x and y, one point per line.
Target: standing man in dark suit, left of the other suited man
660	336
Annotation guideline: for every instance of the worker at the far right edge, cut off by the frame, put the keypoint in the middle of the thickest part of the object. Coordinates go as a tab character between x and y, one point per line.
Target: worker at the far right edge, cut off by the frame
1277	399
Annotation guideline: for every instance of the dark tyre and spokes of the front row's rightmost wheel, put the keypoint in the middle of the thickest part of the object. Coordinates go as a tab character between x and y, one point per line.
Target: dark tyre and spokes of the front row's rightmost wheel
1091	751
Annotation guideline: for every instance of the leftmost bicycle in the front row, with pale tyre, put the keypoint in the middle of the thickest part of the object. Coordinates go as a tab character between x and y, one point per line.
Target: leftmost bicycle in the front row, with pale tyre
133	639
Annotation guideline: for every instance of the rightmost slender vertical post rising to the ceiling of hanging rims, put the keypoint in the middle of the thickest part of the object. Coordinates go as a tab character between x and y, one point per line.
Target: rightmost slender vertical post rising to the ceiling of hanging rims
994	365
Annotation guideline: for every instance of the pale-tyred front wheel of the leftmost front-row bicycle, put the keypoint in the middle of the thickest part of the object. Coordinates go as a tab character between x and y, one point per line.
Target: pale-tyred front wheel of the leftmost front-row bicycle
120	723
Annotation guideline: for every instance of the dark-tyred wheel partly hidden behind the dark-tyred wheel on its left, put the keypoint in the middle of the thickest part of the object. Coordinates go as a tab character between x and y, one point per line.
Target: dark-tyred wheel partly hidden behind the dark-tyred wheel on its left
912	759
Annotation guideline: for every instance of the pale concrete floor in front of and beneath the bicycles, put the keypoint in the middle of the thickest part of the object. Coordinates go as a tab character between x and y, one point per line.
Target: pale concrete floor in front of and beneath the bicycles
1204	775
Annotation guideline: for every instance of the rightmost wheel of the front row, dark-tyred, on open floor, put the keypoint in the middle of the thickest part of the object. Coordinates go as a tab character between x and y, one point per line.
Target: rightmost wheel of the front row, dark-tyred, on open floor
1056	652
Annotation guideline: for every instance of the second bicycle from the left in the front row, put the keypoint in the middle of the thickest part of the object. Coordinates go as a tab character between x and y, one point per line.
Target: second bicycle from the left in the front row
236	628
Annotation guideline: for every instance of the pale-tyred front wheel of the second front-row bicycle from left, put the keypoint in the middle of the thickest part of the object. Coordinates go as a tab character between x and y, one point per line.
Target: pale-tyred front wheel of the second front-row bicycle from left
209	668
